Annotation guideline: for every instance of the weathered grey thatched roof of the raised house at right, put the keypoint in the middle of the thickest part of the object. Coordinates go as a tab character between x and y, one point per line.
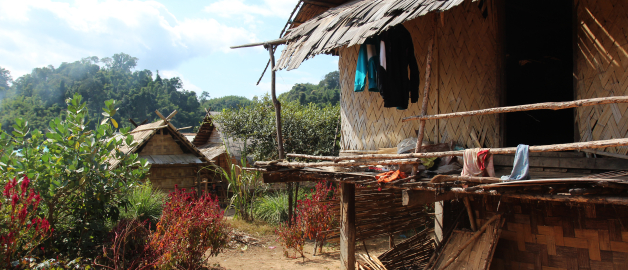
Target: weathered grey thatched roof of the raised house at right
349	24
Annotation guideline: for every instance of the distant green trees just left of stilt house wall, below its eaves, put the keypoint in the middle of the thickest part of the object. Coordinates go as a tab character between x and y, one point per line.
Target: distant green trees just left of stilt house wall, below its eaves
327	91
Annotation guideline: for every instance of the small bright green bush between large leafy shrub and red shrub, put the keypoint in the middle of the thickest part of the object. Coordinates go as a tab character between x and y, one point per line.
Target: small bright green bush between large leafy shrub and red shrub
145	204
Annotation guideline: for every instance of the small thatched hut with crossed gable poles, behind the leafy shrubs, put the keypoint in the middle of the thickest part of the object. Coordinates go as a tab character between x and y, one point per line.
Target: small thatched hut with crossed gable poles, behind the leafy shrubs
174	160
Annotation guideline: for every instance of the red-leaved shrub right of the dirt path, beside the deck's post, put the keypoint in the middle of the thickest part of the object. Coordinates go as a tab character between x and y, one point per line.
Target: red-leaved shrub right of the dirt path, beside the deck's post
312	220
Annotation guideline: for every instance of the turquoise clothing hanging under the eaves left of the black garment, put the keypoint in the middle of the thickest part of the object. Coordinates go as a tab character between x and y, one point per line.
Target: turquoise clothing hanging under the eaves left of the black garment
366	67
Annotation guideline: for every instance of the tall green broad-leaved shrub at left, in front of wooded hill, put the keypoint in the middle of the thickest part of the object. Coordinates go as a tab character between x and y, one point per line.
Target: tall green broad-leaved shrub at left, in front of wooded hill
72	168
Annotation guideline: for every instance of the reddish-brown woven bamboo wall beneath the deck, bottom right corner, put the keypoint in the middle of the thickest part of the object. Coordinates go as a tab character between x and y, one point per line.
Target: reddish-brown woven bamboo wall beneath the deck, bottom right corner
551	235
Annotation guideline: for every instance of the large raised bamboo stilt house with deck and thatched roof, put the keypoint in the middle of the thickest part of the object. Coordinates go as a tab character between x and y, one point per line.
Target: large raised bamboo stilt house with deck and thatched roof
493	74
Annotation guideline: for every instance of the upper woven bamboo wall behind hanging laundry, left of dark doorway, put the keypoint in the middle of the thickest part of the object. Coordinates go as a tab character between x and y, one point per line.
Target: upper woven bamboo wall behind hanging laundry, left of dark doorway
463	78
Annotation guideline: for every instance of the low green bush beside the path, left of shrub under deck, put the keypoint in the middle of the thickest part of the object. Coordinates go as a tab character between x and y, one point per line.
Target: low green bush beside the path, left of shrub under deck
272	208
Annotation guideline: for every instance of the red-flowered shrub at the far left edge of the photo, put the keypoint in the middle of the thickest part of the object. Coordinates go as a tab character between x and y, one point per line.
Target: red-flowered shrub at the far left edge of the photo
21	230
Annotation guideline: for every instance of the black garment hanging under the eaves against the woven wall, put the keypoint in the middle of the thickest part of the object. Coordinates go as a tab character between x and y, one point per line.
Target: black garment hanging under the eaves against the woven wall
394	82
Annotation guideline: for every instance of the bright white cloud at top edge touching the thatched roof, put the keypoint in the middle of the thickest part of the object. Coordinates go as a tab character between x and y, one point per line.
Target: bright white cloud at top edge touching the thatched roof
269	8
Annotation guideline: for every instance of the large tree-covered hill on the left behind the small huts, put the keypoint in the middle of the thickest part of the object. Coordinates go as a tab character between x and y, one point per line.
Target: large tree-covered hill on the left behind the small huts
40	95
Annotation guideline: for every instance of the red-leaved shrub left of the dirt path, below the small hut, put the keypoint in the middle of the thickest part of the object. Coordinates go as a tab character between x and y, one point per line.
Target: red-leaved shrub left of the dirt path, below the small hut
190	226
